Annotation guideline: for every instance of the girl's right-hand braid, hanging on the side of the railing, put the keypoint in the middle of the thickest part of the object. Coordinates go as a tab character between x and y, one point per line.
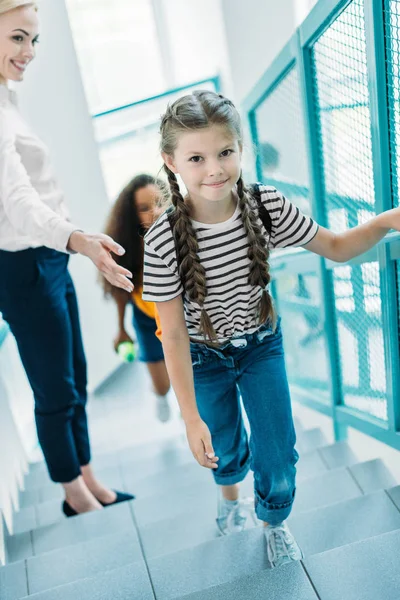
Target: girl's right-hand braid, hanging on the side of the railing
257	253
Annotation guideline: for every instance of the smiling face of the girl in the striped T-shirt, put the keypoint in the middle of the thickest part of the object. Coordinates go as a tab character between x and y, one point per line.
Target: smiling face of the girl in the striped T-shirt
208	160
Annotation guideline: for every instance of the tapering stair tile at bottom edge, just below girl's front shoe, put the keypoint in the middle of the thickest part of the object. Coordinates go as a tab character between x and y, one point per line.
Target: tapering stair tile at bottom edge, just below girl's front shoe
289	582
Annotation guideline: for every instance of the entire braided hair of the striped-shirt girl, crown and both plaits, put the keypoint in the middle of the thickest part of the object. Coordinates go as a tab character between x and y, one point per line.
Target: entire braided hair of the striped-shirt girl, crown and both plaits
200	110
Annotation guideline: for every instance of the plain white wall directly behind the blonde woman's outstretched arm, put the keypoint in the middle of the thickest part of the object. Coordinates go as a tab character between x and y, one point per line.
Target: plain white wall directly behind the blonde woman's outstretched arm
53	101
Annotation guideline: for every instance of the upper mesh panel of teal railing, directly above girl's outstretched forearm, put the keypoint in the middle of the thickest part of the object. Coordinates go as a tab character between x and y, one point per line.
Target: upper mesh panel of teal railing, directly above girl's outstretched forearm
342	104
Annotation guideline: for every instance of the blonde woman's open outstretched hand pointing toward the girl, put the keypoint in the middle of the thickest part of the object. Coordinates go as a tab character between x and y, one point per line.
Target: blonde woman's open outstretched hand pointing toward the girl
98	248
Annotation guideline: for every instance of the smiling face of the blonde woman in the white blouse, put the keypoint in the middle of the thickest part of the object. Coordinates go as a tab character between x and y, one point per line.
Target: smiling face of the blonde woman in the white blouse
18	37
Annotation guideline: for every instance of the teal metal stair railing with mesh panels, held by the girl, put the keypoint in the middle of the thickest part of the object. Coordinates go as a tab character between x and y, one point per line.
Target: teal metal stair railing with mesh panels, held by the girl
344	318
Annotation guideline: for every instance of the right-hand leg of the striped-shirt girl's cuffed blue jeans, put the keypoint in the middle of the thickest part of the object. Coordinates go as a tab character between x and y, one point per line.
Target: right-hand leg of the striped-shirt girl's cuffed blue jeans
265	393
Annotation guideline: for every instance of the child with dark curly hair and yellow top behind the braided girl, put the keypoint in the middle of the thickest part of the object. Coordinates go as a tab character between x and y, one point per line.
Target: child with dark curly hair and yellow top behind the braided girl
132	214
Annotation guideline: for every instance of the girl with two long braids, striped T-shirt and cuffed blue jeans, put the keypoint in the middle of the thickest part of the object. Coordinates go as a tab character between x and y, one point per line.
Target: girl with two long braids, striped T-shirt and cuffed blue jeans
206	267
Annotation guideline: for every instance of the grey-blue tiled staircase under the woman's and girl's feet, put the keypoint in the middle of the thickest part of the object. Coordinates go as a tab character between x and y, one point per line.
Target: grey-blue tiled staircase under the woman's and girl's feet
164	545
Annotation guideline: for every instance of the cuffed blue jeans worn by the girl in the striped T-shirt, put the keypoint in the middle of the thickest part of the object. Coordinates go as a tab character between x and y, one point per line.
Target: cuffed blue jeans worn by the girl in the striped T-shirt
252	367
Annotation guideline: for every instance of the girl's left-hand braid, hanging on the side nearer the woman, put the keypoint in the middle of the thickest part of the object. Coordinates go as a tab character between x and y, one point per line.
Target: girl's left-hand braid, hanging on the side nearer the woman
191	271
